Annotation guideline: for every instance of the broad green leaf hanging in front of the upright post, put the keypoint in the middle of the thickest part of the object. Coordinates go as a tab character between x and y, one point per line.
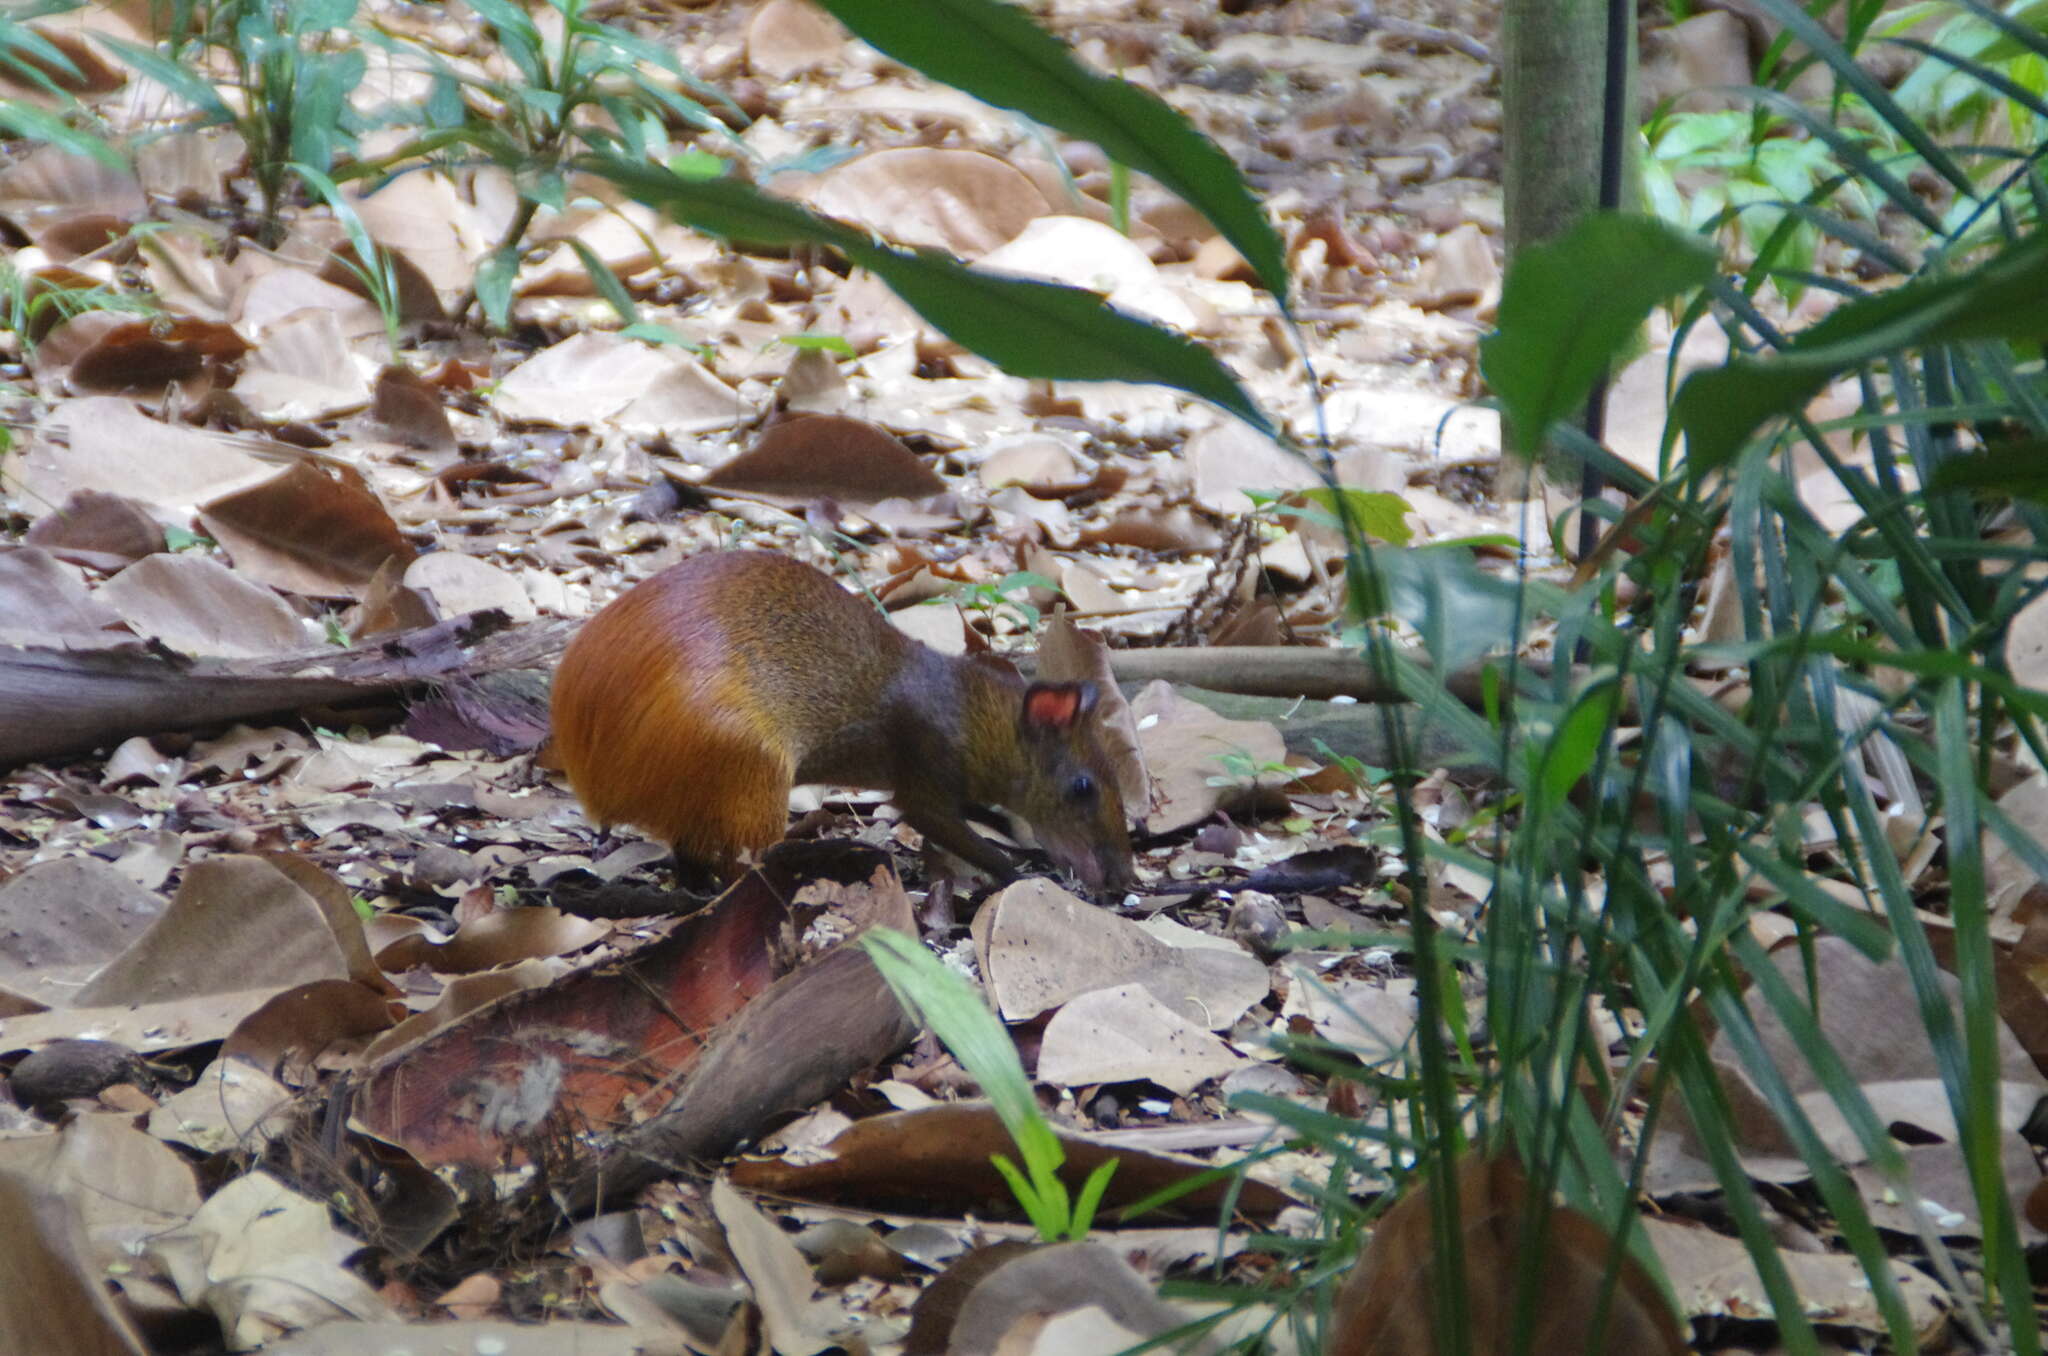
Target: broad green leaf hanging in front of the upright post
1572	304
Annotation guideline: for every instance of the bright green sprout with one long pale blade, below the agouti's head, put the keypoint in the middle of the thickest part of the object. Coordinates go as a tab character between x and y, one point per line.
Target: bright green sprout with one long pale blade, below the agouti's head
959	1017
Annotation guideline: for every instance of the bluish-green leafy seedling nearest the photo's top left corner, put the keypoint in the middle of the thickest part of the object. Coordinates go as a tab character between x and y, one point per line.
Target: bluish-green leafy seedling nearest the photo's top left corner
294	73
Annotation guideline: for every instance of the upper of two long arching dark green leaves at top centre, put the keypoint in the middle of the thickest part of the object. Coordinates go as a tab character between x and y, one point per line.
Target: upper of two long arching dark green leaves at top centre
994	52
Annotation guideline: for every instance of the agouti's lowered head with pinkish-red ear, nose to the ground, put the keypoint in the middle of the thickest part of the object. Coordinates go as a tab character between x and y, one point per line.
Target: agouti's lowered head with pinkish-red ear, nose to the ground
1070	794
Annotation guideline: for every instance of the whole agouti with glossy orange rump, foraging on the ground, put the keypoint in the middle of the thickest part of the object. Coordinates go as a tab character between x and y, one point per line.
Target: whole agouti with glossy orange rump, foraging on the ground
699	697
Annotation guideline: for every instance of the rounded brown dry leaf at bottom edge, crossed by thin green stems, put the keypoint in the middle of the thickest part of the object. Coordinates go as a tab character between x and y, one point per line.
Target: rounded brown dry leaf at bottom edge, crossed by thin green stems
1388	1306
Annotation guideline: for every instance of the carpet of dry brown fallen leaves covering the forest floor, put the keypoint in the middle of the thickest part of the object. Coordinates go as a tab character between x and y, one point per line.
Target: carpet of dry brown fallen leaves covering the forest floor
206	935
